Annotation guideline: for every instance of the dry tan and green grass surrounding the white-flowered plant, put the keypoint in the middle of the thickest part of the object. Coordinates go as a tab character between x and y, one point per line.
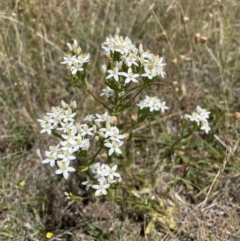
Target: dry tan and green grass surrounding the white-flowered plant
33	37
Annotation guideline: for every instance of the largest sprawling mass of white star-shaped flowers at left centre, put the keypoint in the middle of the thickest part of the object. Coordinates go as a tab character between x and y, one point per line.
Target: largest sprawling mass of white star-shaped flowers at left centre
76	136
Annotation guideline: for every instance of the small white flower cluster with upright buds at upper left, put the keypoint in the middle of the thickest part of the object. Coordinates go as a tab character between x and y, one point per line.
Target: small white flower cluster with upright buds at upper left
76	61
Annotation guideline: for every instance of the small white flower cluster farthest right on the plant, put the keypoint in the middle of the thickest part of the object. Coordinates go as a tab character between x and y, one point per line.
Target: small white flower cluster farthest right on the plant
201	118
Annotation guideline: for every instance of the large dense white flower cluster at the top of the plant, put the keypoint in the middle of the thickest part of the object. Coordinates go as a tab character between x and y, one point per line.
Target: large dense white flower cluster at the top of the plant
129	63
